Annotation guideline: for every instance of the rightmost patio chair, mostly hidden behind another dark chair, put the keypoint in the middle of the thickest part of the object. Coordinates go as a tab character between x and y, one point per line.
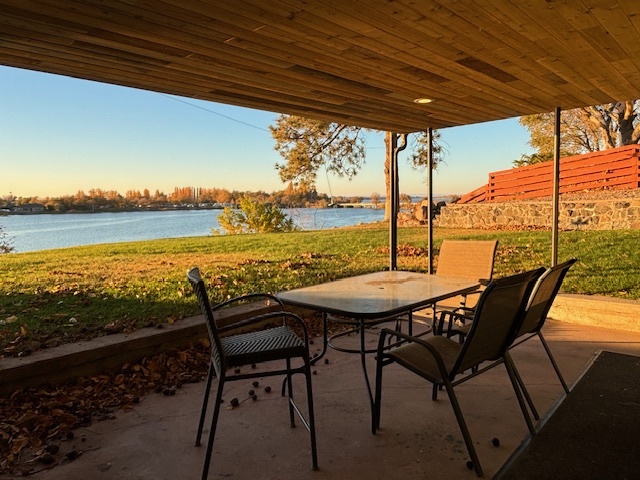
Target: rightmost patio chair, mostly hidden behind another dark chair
538	306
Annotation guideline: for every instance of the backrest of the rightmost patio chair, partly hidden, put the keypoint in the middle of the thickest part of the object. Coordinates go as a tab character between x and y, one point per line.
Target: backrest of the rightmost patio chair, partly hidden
542	297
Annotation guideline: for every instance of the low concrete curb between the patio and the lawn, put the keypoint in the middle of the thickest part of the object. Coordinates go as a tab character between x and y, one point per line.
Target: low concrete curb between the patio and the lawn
108	353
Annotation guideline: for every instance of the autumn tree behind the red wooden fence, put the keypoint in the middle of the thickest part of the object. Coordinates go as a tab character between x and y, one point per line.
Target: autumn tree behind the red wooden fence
582	130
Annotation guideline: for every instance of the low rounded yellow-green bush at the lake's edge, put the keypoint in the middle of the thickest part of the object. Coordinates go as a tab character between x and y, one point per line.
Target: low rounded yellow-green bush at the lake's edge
254	217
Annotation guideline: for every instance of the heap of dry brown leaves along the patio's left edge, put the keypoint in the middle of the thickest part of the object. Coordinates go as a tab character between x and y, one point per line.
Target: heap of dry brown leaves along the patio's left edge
34	421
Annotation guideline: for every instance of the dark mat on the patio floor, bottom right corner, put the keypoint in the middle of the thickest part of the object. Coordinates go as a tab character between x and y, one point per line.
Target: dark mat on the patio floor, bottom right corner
593	434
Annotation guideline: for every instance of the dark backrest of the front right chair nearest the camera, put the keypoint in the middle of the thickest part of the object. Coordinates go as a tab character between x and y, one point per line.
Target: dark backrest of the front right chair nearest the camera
498	315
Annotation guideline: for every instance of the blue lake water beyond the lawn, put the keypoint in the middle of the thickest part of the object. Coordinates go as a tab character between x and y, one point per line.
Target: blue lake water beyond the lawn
28	233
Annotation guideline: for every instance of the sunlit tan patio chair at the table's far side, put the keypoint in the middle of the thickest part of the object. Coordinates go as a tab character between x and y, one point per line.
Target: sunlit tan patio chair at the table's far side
468	259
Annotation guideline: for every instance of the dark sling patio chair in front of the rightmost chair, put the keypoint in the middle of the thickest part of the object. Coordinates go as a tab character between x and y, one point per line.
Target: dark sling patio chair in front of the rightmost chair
443	361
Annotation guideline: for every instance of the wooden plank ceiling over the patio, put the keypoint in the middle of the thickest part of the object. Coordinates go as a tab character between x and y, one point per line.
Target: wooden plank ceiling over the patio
354	62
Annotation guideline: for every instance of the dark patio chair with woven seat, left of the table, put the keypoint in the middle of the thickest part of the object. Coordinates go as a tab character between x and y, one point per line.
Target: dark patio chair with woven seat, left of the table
253	340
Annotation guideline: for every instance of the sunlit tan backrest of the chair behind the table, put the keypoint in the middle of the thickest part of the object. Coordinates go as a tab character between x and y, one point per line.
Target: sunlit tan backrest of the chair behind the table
469	259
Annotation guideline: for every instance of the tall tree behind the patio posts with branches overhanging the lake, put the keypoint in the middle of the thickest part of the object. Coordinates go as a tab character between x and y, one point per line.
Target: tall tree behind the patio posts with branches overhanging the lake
306	145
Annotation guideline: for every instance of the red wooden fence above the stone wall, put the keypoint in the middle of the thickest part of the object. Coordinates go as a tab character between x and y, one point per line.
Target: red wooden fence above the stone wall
618	168
